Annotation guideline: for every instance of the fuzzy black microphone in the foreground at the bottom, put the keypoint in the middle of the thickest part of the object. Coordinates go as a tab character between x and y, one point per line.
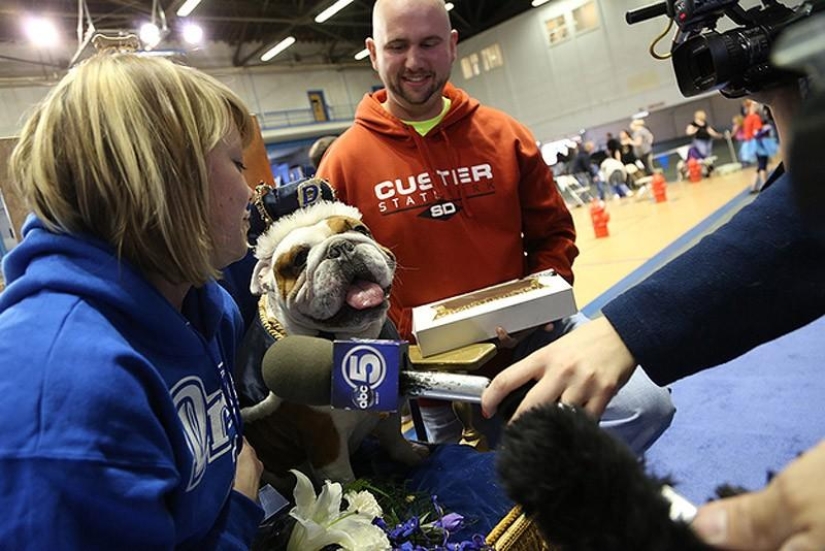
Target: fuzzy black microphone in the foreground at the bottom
585	489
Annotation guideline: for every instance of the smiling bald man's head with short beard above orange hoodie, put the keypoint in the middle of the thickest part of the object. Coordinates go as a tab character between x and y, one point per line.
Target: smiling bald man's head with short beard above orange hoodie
413	50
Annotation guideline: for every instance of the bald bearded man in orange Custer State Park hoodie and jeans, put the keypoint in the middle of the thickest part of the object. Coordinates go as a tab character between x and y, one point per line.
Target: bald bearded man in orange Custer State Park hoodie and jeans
460	193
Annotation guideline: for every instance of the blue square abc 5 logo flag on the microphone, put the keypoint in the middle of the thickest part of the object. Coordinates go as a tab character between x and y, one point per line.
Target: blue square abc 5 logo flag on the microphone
365	373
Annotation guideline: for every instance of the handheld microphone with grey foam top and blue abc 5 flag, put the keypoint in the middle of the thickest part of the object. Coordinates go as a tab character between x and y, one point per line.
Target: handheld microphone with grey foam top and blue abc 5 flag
306	370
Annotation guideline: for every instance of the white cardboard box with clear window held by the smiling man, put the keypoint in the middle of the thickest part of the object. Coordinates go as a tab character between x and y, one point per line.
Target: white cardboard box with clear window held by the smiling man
473	317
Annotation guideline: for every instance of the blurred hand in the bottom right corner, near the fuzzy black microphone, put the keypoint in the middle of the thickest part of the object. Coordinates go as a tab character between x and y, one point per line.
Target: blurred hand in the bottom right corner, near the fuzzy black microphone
788	515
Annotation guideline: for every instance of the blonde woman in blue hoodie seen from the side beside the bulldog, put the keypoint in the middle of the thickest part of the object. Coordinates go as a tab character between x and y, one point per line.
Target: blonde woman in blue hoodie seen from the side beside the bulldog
122	427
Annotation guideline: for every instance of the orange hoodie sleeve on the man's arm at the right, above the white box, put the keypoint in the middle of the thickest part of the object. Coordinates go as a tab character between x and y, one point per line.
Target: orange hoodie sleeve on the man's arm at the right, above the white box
549	233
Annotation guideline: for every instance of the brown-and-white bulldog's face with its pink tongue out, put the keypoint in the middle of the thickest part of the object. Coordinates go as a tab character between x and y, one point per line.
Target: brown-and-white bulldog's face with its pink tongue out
322	271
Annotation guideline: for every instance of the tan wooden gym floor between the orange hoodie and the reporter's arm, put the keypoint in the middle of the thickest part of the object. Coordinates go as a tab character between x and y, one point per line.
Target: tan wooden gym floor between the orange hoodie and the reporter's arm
641	230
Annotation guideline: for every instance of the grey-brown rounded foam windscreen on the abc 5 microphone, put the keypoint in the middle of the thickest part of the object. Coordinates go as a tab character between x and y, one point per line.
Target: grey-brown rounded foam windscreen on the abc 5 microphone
298	369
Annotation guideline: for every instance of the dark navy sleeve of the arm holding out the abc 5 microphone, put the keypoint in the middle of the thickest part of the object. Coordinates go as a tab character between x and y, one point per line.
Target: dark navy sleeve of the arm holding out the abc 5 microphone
754	279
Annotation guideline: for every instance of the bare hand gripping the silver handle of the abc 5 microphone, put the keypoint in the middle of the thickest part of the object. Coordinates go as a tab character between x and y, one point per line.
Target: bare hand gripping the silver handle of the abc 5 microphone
584	368
